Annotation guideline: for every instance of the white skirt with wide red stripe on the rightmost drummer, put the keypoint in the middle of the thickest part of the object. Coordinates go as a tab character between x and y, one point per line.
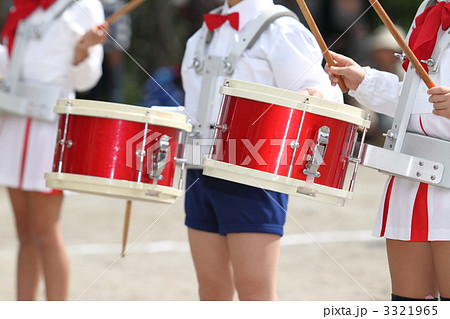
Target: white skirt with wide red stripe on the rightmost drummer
413	211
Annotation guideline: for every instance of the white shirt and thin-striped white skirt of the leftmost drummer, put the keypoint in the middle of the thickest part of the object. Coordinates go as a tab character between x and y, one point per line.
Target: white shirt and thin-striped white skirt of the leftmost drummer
27	145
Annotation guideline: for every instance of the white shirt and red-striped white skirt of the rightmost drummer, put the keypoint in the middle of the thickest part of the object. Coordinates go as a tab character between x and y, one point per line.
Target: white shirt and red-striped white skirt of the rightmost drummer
411	210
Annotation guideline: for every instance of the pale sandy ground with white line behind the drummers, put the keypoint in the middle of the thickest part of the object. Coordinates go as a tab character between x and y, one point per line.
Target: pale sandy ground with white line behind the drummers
327	252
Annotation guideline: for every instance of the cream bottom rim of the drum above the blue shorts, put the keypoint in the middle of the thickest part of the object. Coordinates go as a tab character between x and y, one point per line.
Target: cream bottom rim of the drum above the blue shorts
277	183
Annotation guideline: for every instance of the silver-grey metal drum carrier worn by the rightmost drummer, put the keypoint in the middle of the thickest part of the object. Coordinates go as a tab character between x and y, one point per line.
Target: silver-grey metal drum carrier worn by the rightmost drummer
413	156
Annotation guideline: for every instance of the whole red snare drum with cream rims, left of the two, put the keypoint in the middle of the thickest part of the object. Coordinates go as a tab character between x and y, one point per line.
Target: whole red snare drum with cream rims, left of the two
118	150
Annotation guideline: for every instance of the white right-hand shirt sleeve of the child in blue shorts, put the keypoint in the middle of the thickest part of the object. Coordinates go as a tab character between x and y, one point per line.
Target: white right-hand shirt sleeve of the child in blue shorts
296	59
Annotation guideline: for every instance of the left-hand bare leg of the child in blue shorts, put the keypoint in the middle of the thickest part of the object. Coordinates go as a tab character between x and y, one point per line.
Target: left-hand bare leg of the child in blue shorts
212	264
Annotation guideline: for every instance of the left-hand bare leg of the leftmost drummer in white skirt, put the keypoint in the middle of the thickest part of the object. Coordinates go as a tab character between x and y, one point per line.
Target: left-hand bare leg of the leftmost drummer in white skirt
28	263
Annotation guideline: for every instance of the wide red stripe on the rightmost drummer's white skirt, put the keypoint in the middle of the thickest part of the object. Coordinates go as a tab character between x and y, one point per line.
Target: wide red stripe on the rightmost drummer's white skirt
419	223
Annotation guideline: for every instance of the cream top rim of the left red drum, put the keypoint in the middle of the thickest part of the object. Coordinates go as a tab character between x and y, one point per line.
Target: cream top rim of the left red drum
122	112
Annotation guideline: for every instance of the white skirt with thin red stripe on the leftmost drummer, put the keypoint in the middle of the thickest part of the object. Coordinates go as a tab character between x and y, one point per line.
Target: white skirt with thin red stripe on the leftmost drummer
27	147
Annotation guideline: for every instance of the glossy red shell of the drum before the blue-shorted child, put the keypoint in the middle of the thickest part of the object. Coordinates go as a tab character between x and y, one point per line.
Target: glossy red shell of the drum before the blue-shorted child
258	136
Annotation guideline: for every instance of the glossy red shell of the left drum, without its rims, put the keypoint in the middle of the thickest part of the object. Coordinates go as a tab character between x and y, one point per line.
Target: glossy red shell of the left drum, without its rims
103	147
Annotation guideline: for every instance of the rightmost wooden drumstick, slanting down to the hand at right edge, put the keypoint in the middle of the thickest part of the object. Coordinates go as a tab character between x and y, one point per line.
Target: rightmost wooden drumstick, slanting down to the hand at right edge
402	43
